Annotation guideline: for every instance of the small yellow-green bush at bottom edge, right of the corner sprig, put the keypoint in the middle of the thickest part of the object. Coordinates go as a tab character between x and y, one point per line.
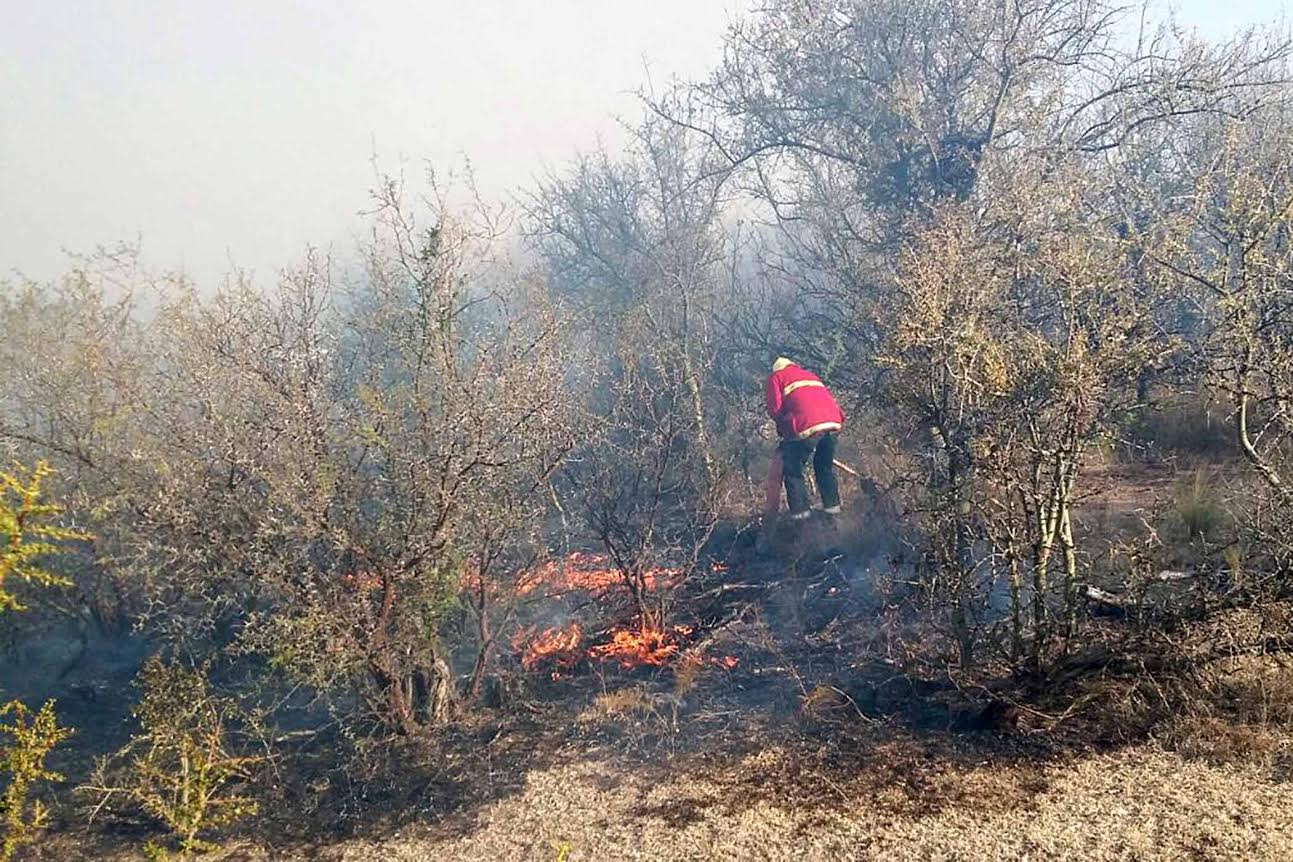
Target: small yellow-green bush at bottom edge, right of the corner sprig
180	768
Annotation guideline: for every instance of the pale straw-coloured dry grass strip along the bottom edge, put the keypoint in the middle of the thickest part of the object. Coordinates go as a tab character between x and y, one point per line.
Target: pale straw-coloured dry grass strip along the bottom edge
1136	804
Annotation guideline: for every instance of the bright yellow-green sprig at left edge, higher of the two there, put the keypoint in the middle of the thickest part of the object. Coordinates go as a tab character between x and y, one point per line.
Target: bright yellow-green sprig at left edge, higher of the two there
27	533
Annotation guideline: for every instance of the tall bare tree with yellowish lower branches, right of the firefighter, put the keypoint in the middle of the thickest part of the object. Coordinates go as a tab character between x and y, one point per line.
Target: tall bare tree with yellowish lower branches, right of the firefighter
960	194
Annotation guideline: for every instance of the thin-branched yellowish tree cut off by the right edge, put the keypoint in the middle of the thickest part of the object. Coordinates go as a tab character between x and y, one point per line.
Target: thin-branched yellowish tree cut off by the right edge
1229	250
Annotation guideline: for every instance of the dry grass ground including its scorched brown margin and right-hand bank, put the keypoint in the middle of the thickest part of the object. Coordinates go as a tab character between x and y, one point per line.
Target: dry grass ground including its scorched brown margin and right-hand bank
1213	785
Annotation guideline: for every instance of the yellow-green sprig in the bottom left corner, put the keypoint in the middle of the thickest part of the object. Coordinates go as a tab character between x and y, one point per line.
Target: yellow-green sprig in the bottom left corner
28	740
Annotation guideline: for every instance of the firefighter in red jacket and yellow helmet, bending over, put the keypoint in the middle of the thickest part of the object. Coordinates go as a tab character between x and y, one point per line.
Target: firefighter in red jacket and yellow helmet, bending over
807	419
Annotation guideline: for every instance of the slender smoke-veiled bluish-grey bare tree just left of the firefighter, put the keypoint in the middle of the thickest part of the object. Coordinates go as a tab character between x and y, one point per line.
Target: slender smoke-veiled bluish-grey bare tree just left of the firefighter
638	251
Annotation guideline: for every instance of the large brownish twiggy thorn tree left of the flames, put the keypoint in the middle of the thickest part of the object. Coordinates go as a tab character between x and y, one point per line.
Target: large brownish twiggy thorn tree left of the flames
319	468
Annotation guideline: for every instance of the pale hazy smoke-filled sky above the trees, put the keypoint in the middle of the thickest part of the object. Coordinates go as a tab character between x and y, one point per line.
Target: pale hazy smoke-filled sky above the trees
241	131
